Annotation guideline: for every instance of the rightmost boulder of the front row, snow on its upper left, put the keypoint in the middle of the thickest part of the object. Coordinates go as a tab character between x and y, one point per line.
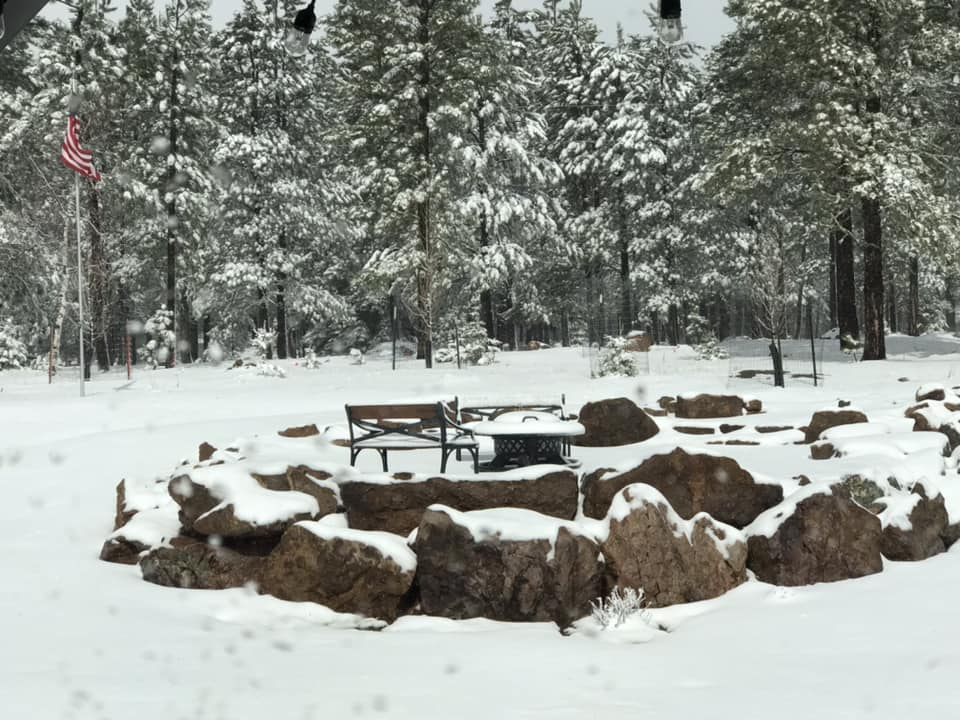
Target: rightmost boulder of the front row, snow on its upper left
914	525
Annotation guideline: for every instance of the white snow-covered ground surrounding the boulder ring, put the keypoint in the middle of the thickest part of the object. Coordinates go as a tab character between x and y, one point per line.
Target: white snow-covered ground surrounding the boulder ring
82	638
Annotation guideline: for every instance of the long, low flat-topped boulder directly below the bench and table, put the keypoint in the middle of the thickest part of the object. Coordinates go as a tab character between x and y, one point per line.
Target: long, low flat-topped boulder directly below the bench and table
397	505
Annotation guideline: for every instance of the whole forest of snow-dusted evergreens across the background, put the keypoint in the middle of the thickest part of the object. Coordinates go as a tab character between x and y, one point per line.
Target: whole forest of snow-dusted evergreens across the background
517	171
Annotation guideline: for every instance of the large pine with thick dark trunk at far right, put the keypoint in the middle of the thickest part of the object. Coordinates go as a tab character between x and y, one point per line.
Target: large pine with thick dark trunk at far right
853	112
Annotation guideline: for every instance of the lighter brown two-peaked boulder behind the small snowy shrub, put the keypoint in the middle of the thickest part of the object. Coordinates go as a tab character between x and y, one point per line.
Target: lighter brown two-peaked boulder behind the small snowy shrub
651	548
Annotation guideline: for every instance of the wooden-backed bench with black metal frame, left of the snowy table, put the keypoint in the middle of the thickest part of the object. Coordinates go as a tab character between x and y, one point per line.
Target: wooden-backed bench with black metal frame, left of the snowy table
426	426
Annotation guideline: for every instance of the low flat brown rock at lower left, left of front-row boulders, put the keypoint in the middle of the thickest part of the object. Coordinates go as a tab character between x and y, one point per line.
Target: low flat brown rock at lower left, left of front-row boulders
199	566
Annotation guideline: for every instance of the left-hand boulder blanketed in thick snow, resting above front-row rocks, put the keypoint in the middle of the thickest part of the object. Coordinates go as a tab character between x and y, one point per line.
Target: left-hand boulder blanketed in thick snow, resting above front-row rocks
228	501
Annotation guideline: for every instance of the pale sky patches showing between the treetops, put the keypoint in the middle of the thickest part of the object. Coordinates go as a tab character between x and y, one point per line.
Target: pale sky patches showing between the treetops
704	20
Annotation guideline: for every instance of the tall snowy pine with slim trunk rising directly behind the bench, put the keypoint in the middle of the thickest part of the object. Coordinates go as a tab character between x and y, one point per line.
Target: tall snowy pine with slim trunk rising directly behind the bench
407	81
